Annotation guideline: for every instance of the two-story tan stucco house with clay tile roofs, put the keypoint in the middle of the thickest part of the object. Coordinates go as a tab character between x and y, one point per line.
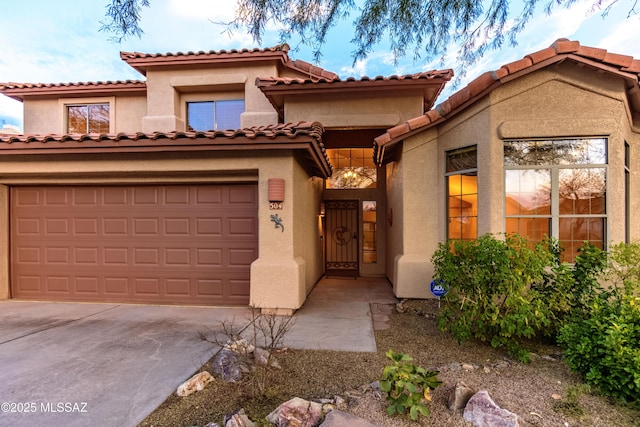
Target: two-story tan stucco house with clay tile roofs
243	176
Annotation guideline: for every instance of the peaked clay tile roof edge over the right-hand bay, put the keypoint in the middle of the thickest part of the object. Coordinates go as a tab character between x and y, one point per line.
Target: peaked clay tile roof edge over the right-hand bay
560	50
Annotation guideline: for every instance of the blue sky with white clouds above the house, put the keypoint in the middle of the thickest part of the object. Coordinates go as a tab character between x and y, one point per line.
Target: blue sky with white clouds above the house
58	41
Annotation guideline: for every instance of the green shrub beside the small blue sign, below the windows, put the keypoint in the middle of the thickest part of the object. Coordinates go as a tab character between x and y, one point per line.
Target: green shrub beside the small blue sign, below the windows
495	290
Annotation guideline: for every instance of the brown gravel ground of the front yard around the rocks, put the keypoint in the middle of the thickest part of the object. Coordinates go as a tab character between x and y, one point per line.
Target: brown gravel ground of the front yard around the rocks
537	392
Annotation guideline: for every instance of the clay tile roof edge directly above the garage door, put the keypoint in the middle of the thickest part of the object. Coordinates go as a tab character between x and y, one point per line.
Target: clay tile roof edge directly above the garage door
305	136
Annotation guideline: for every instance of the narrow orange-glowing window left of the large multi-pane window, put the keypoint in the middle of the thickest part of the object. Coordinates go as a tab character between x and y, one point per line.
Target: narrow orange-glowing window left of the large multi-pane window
462	194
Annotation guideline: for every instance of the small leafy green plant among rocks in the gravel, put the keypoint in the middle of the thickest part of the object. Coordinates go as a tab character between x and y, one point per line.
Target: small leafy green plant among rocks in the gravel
408	386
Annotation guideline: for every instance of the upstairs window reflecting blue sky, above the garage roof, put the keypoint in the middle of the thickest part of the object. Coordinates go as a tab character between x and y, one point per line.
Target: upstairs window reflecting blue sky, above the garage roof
214	115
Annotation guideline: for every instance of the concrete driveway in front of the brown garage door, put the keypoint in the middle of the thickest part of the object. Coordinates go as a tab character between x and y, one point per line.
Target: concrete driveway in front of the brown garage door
98	364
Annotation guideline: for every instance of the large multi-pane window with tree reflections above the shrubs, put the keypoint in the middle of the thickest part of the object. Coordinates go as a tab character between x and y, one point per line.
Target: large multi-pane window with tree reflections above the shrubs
557	188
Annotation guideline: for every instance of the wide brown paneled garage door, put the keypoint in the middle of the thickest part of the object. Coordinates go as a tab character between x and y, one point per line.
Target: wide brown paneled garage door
153	244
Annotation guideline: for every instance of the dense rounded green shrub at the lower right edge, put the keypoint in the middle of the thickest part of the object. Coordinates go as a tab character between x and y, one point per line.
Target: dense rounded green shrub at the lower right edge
605	347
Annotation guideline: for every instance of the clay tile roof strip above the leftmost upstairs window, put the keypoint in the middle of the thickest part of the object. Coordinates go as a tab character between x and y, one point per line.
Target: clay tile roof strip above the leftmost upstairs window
20	90
